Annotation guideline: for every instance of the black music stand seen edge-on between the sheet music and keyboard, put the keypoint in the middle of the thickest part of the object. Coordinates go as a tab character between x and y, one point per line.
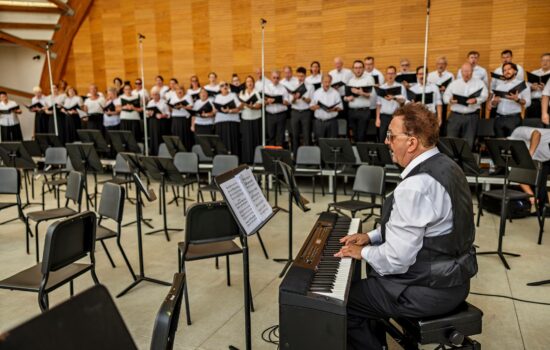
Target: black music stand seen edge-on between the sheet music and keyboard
293	196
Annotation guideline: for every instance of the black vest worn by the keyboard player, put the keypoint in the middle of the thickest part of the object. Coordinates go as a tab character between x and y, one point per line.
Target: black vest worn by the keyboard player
448	260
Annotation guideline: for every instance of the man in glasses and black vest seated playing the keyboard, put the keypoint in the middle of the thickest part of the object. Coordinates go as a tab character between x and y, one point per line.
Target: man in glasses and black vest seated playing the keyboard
421	257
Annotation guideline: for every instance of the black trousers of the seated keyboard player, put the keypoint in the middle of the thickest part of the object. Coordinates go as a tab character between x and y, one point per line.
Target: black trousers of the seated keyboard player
374	299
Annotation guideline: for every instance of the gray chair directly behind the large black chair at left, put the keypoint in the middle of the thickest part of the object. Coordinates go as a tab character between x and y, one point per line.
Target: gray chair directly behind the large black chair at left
75	186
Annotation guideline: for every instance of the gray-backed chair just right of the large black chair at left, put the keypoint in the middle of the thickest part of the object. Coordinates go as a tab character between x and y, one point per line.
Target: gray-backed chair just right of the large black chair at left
111	207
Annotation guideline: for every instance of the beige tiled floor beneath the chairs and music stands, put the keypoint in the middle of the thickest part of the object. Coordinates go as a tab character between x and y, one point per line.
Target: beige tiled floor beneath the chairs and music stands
217	310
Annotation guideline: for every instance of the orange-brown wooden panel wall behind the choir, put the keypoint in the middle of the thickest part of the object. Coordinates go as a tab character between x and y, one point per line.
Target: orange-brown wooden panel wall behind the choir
197	36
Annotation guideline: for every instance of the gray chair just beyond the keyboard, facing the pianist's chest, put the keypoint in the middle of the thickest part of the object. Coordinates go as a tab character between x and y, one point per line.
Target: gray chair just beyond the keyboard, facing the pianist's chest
370	180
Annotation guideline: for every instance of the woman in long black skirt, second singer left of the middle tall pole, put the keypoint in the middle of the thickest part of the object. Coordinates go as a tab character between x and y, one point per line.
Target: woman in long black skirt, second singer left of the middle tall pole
226	123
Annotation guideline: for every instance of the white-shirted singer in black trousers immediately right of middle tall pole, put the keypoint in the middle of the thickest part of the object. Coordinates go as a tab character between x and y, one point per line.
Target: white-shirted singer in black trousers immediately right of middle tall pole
275	115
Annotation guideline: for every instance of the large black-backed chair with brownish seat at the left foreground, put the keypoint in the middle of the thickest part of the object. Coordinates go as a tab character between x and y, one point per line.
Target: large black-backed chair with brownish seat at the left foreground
67	241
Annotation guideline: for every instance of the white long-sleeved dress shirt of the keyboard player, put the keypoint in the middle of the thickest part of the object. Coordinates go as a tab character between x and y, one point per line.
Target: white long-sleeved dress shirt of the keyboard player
421	208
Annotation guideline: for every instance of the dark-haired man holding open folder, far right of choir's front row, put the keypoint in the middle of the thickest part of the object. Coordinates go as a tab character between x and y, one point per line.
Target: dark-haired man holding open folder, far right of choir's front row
508	108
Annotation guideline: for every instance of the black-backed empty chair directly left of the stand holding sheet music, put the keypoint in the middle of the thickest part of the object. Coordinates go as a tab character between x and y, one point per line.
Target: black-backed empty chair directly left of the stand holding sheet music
210	231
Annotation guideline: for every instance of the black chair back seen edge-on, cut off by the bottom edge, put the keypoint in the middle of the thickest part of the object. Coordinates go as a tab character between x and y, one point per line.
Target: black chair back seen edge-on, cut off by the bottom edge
167	319
